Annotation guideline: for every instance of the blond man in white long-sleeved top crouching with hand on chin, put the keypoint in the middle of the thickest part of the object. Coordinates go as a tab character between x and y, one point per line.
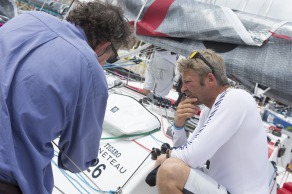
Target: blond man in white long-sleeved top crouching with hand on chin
230	134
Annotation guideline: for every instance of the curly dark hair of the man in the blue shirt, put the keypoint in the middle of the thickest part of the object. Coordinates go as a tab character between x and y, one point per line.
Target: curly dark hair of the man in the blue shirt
102	22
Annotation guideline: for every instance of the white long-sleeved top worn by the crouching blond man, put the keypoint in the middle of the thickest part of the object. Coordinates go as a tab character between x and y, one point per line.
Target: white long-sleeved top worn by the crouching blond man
232	136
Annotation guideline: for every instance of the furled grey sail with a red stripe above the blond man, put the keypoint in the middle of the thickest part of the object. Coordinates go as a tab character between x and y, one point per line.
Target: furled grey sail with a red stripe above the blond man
256	49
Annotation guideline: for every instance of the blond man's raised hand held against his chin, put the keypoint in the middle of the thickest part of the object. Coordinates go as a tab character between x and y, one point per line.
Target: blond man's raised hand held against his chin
186	109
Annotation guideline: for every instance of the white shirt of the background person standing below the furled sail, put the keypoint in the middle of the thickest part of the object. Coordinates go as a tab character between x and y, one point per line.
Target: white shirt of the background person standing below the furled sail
161	72
